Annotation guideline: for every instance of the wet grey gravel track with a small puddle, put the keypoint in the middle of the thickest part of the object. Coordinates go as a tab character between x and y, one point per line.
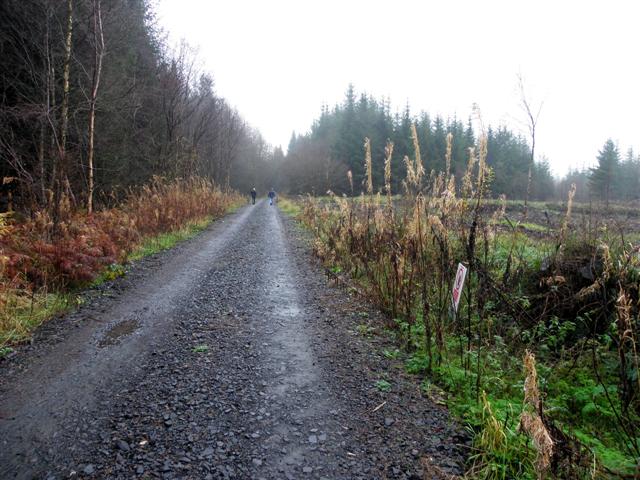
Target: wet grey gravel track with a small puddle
227	357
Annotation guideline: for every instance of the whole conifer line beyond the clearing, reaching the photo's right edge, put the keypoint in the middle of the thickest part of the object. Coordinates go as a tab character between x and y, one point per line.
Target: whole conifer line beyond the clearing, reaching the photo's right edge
322	158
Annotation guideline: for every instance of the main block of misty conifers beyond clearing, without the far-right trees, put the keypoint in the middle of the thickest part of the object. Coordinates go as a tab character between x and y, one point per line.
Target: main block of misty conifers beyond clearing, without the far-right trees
320	159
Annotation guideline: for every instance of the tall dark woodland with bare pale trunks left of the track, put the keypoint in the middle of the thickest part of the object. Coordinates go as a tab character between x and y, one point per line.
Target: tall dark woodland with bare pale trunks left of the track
93	101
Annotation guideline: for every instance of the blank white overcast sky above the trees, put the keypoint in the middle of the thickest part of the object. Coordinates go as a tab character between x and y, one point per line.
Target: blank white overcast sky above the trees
277	61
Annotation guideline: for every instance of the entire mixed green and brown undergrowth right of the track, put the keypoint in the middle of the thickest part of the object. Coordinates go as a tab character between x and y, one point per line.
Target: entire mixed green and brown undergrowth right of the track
540	359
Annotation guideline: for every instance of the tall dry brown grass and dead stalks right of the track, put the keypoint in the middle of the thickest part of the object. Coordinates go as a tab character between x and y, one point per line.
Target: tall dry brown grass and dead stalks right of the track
405	256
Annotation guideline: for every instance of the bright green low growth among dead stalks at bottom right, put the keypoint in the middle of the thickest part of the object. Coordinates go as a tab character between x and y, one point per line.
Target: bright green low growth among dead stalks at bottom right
573	399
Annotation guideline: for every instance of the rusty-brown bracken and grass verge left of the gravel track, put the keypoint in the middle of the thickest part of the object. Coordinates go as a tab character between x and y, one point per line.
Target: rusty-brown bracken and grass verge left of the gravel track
43	262
